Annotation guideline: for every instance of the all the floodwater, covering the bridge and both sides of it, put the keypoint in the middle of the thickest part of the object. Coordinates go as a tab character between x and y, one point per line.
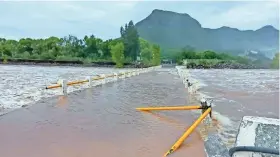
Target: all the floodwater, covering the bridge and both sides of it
102	120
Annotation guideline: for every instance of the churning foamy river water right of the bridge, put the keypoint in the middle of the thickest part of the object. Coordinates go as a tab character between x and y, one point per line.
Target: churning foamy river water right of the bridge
227	88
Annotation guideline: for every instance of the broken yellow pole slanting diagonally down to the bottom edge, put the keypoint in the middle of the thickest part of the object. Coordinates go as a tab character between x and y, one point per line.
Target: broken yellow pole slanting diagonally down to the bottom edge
187	133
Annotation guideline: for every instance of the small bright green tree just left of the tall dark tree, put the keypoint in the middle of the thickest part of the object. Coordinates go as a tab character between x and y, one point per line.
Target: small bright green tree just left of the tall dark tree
117	52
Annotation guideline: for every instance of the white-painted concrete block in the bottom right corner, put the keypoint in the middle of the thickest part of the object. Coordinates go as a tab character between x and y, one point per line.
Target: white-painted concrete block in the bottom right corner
259	132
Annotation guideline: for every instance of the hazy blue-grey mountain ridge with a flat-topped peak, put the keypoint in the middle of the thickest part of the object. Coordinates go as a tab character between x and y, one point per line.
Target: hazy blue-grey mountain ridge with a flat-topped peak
175	30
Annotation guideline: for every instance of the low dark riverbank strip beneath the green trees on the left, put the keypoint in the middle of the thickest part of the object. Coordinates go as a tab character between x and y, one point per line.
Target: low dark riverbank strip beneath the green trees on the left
77	63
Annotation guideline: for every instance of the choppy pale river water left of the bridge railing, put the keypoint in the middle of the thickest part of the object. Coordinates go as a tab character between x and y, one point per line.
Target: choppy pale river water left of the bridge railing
21	85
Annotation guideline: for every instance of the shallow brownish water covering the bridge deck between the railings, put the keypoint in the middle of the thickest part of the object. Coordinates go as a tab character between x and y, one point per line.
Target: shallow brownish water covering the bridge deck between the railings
102	121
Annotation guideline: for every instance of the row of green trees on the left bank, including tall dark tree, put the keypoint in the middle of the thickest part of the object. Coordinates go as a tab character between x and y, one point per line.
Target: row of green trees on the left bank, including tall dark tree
129	48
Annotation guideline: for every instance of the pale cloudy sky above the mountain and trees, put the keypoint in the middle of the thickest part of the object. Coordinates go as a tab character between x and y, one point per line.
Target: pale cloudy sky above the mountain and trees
38	19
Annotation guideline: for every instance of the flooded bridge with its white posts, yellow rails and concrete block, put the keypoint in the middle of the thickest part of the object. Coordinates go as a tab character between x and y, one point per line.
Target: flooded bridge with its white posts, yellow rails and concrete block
103	121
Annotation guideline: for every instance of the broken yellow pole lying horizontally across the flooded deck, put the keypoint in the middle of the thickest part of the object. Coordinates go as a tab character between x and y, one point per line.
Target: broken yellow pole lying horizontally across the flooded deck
169	108
